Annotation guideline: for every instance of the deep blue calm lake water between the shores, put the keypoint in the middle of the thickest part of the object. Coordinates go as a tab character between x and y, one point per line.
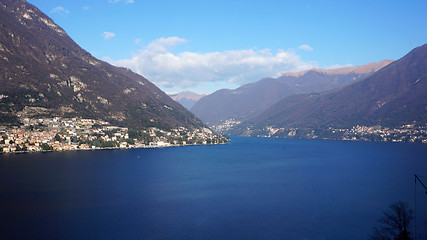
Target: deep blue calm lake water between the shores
251	188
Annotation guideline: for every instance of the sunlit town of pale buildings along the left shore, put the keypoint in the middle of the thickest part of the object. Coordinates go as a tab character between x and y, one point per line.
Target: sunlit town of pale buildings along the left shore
64	134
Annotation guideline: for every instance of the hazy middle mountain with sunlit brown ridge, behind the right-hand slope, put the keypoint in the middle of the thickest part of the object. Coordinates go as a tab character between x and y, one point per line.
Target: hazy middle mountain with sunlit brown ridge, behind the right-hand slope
252	99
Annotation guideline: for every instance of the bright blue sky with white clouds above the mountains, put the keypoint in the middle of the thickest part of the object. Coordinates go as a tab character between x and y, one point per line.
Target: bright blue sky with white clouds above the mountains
204	46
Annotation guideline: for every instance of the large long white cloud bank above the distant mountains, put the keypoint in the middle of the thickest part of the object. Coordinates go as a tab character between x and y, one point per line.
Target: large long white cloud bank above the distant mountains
189	69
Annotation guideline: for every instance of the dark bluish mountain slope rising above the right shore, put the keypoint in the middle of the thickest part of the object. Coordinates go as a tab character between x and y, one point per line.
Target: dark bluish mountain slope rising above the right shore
392	96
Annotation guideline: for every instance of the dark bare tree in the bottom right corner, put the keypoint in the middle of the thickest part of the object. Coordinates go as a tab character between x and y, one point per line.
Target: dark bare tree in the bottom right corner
395	223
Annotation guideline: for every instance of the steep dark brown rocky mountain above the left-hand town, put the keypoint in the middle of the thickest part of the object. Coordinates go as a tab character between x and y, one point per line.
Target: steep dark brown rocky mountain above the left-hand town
43	72
